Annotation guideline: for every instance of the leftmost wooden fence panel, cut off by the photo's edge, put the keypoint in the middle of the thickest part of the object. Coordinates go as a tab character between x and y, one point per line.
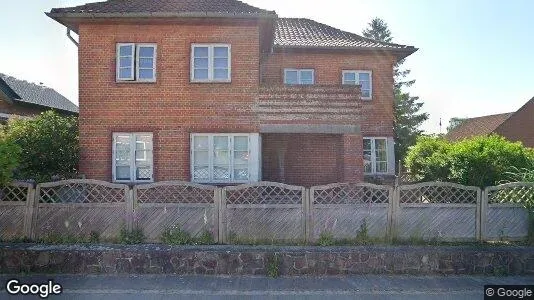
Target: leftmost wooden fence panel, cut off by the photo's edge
14	201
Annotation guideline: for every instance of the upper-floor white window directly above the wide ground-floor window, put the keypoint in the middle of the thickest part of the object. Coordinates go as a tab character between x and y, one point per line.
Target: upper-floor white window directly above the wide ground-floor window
210	63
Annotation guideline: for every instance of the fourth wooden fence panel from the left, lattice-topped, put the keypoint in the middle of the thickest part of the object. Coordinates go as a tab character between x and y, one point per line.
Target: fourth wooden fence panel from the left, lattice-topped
264	211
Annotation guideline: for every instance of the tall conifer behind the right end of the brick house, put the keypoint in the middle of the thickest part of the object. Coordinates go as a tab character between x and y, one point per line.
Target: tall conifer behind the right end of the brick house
407	109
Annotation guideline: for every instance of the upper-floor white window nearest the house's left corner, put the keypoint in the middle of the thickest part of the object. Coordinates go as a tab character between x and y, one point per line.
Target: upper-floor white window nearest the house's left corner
136	62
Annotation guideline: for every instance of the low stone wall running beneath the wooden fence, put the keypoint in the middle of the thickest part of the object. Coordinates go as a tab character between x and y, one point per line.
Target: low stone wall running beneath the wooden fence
254	260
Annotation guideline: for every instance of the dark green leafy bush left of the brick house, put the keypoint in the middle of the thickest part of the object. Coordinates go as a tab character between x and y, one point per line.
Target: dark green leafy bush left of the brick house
49	146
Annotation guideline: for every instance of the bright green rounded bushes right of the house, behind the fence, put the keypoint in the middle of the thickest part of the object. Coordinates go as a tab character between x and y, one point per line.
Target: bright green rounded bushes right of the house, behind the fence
479	161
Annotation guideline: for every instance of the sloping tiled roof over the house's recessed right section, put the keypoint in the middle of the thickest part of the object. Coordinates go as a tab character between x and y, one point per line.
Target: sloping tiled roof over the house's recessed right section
306	33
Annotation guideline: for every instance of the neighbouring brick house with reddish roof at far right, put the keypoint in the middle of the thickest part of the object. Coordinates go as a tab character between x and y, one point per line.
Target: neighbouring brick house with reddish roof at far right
515	126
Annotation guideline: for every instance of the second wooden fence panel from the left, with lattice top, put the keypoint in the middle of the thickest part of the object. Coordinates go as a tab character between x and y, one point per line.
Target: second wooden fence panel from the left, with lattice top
78	207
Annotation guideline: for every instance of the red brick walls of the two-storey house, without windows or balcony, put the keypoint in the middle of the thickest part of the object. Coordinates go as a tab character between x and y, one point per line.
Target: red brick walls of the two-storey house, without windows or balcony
172	108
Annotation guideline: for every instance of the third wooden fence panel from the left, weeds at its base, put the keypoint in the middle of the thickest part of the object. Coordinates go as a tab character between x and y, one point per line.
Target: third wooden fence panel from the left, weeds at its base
165	205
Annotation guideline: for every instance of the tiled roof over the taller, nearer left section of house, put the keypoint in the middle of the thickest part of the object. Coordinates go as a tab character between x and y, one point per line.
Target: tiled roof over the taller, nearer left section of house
170	7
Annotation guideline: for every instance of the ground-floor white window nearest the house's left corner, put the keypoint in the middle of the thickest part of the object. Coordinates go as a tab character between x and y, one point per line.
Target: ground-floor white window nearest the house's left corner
132	157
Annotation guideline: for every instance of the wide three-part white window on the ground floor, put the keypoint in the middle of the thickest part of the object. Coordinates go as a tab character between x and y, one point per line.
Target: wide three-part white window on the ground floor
224	157
